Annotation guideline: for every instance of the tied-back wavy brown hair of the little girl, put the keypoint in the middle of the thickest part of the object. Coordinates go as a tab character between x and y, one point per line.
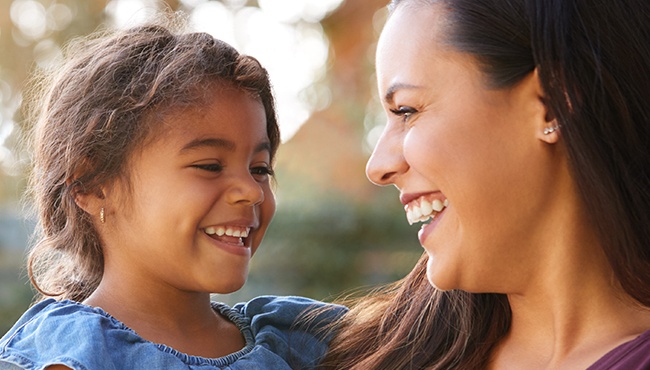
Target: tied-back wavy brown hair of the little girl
95	112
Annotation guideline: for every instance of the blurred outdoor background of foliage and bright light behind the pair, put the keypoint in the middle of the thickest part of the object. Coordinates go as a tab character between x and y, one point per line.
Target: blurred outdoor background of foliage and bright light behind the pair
333	232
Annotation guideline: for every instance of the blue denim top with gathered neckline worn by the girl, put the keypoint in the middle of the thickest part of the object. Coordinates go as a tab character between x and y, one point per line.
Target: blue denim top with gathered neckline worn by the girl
84	338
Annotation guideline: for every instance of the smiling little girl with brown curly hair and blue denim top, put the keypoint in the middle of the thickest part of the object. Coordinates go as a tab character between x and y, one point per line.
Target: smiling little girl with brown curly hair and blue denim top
153	161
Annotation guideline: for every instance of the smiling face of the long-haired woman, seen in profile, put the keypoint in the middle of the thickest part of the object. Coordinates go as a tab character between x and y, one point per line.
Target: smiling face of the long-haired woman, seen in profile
472	157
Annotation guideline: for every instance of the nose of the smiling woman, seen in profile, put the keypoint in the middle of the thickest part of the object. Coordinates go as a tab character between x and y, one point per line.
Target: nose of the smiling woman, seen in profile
387	160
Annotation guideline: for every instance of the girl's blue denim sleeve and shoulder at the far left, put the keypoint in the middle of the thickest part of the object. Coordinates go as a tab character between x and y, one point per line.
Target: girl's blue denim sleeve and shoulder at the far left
80	337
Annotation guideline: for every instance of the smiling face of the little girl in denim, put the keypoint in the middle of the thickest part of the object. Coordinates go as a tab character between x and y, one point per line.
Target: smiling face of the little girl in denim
200	199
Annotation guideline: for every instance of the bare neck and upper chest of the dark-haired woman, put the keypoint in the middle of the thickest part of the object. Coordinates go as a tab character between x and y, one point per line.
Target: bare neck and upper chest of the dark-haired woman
572	313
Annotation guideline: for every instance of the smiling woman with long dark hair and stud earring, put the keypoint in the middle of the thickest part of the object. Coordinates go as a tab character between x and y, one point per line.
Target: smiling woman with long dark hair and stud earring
521	130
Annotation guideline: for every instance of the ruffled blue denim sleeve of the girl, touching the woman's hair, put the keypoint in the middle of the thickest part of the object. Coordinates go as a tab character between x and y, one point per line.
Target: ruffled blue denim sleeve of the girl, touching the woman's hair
294	328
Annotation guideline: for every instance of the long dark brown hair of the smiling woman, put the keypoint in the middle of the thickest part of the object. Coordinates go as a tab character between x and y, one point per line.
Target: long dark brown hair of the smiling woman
593	60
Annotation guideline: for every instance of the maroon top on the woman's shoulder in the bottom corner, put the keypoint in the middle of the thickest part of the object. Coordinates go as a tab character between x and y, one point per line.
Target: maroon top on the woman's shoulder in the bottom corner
633	355
